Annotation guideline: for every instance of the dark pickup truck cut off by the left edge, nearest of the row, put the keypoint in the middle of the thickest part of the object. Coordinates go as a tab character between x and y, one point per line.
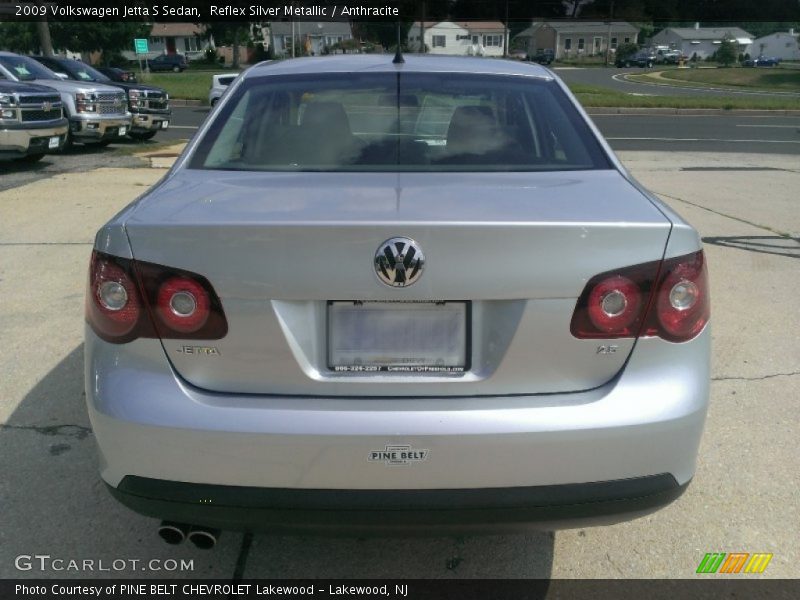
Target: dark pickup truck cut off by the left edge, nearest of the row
32	121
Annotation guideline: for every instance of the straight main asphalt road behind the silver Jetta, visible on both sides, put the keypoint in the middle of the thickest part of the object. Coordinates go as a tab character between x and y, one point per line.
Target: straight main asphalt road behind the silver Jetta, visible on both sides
707	133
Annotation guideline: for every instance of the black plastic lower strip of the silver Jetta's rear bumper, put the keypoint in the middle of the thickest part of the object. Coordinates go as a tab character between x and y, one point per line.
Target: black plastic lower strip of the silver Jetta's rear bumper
396	511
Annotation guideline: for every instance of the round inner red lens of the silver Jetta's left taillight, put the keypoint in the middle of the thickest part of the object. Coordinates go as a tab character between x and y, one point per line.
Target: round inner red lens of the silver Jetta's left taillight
183	305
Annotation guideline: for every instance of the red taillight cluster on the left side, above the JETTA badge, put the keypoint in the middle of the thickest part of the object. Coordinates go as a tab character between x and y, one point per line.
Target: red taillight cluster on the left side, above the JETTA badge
127	299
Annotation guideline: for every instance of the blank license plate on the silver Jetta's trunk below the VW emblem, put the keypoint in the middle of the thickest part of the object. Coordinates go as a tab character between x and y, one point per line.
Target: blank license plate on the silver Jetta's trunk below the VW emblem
400	337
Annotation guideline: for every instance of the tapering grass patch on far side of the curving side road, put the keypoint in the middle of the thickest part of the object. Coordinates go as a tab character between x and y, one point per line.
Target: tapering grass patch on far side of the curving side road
779	79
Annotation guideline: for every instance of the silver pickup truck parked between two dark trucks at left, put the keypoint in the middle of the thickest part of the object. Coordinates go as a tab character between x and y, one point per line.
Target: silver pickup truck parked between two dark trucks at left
97	113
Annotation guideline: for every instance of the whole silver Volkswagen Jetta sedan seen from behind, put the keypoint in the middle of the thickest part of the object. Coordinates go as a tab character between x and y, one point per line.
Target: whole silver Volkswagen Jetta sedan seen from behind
382	294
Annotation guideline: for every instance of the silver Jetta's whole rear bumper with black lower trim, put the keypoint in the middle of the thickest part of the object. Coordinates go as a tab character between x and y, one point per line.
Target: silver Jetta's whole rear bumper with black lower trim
486	460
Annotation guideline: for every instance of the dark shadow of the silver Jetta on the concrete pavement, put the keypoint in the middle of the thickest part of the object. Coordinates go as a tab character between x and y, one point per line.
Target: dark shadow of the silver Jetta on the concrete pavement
54	503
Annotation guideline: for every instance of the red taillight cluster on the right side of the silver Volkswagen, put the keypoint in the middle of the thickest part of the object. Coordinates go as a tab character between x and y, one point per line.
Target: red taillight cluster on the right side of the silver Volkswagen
668	299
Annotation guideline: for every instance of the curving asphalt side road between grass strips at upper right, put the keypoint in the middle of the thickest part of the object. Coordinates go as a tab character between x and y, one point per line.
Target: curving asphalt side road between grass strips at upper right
615	79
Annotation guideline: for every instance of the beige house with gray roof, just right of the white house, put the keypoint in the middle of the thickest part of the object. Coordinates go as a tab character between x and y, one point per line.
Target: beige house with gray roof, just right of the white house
575	39
